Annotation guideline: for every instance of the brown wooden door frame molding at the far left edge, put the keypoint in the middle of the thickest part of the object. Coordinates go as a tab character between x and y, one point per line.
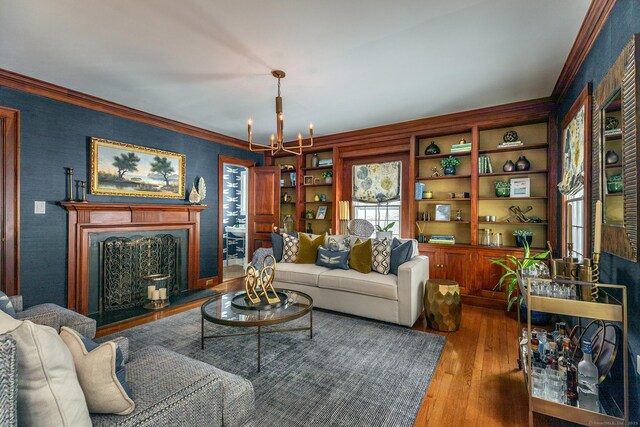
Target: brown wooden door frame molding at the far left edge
10	212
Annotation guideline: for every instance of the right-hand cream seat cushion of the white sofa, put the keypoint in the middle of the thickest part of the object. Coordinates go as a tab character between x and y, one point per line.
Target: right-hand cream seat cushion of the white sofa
373	284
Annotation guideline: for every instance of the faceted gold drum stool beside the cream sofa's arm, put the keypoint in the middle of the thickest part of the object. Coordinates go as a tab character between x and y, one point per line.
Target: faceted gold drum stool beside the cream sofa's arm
442	305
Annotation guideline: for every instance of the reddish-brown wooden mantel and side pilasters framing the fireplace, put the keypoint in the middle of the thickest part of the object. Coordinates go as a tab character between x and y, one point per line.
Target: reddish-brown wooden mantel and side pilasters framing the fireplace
92	217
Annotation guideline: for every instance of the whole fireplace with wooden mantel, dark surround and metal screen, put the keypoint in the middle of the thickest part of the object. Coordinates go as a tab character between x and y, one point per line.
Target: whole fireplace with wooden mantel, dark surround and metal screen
112	246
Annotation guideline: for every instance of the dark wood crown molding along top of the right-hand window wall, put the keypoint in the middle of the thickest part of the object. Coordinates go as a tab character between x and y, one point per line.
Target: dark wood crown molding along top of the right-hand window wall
593	22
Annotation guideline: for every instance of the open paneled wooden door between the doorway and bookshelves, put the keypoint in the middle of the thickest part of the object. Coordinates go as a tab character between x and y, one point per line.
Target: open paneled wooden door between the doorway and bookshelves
264	206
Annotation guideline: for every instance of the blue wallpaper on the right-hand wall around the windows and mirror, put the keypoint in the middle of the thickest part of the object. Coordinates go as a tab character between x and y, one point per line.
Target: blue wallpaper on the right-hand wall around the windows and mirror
623	22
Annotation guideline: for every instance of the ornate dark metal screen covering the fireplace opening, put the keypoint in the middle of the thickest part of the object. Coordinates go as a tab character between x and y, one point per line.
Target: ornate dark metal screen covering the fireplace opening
124	263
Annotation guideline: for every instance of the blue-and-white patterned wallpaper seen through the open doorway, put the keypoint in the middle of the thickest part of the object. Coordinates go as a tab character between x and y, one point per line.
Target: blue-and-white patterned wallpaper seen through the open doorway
231	213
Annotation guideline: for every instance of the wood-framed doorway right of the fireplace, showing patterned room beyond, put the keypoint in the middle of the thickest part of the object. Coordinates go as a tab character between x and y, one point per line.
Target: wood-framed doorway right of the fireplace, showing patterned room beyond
233	190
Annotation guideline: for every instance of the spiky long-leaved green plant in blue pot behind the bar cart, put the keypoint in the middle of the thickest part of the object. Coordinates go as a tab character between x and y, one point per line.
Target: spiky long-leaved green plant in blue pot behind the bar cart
509	280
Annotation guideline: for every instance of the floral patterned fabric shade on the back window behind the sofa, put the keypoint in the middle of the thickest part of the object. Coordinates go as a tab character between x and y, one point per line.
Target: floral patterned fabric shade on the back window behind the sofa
376	182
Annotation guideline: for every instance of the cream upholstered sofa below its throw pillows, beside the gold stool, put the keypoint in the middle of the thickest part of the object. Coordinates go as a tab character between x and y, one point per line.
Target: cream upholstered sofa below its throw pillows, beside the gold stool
390	298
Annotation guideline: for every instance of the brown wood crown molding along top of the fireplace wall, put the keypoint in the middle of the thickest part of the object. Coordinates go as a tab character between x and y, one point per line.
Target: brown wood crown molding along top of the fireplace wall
32	85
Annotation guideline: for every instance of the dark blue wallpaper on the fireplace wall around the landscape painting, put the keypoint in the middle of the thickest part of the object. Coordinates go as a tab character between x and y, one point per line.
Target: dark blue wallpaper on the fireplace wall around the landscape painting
55	135
